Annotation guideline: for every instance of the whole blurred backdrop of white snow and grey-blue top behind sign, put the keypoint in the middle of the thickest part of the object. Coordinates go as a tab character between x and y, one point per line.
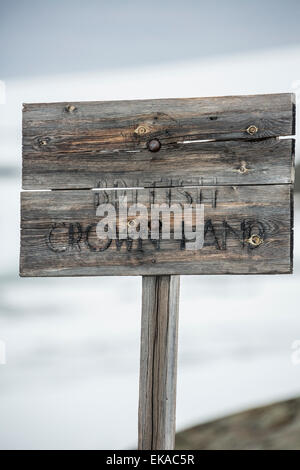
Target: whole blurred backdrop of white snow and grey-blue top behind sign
72	345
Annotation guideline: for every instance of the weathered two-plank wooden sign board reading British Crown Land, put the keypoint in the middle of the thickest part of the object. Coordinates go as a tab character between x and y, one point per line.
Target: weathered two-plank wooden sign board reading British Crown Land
225	153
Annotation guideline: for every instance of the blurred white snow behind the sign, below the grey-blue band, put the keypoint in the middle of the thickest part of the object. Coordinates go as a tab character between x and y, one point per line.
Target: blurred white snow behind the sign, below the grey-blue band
72	344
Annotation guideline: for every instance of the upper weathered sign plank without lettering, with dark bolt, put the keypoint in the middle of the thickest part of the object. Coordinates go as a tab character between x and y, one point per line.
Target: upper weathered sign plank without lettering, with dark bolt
73	143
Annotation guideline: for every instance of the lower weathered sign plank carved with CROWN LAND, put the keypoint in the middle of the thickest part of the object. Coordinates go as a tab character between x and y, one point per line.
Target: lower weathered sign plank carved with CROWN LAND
58	233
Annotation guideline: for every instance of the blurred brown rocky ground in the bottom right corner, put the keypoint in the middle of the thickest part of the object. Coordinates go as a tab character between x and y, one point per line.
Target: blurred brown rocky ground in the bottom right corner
275	427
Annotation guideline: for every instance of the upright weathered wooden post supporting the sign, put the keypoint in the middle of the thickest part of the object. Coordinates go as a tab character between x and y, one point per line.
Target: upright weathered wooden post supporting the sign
158	366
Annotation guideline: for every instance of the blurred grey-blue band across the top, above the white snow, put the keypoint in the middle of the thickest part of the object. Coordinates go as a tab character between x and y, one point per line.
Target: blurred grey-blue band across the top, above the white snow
64	36
